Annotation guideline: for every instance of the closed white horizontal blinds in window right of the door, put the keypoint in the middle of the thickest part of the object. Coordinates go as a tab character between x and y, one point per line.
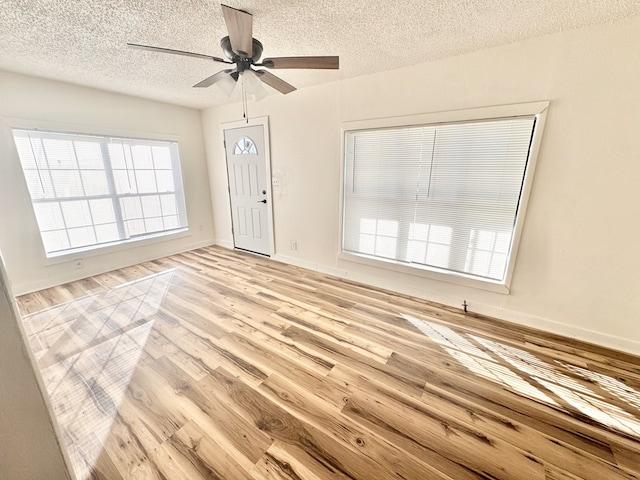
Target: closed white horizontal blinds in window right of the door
441	197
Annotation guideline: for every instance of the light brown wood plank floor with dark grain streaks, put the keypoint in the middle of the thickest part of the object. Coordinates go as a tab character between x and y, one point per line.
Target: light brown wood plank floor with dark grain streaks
221	365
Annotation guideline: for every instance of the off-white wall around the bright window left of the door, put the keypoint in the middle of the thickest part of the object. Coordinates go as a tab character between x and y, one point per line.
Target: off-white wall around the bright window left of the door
66	107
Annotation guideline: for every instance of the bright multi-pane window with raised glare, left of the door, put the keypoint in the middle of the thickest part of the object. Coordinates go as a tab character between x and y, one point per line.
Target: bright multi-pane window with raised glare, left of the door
92	191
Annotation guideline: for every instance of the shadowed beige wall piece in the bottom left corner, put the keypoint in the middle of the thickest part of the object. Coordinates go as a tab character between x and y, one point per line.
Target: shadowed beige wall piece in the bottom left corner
26	430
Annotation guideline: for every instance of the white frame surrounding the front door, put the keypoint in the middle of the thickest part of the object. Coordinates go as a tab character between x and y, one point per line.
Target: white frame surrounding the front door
264	122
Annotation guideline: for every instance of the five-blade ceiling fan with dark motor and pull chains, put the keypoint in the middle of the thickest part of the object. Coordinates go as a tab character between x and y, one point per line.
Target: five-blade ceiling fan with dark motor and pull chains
244	51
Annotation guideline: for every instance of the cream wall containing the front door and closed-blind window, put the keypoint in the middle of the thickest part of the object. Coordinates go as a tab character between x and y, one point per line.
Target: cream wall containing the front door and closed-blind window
577	270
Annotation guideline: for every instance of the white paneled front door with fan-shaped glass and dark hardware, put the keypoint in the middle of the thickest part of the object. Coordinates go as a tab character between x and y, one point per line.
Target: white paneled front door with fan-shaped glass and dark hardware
247	170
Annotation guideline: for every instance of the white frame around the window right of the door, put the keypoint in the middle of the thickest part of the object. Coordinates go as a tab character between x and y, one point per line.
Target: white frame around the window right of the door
539	109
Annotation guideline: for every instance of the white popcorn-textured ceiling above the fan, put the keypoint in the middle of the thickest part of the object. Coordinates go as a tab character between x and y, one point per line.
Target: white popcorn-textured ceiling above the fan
83	41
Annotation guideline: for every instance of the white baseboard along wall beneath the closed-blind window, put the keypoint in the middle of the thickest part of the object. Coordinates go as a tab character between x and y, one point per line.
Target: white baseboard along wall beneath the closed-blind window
519	318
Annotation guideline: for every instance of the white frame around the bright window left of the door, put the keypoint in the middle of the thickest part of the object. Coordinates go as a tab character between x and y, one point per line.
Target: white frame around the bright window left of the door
98	131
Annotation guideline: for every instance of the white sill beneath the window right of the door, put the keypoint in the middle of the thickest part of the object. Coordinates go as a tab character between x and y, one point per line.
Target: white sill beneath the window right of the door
426	272
